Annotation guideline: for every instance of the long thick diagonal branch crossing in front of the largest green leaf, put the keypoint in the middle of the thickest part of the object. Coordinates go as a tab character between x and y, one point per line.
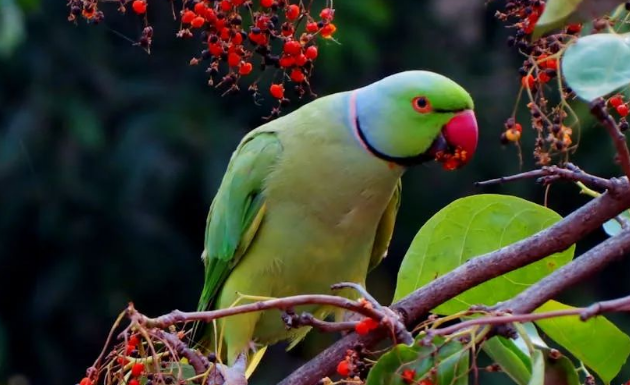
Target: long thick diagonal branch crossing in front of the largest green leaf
478	270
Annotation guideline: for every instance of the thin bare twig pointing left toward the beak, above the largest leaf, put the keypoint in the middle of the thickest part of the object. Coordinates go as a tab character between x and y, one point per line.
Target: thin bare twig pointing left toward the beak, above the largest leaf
550	174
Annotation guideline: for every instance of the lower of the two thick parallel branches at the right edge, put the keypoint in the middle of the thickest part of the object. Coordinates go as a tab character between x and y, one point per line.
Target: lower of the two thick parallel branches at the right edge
568	275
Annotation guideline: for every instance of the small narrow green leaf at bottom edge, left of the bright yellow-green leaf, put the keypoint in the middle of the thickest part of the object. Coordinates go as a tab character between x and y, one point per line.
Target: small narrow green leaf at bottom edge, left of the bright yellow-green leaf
510	358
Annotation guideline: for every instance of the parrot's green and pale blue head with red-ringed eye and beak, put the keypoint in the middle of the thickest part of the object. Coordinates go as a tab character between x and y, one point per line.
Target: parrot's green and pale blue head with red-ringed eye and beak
416	116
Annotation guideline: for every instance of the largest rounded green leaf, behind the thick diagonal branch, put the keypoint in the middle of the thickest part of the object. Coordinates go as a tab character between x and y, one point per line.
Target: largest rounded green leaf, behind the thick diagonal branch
470	227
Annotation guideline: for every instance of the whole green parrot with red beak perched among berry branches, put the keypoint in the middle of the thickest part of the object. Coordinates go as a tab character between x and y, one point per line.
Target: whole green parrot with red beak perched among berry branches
310	199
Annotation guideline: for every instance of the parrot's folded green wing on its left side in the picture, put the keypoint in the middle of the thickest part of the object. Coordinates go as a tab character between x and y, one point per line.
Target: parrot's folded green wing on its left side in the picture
237	210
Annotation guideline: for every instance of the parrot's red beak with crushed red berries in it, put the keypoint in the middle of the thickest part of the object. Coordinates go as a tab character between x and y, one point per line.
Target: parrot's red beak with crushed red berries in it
457	142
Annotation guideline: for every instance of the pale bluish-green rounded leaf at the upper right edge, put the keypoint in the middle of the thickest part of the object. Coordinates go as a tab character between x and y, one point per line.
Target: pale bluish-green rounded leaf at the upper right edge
597	65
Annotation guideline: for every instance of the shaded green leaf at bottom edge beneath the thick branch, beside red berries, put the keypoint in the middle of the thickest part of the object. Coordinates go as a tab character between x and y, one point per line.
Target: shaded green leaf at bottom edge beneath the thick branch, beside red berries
452	362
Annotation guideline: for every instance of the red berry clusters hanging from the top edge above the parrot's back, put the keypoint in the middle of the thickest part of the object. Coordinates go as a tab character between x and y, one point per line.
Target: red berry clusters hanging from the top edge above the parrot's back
239	35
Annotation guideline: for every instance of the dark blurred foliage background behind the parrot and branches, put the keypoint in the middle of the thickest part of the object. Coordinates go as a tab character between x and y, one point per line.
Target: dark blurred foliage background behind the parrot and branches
109	159
